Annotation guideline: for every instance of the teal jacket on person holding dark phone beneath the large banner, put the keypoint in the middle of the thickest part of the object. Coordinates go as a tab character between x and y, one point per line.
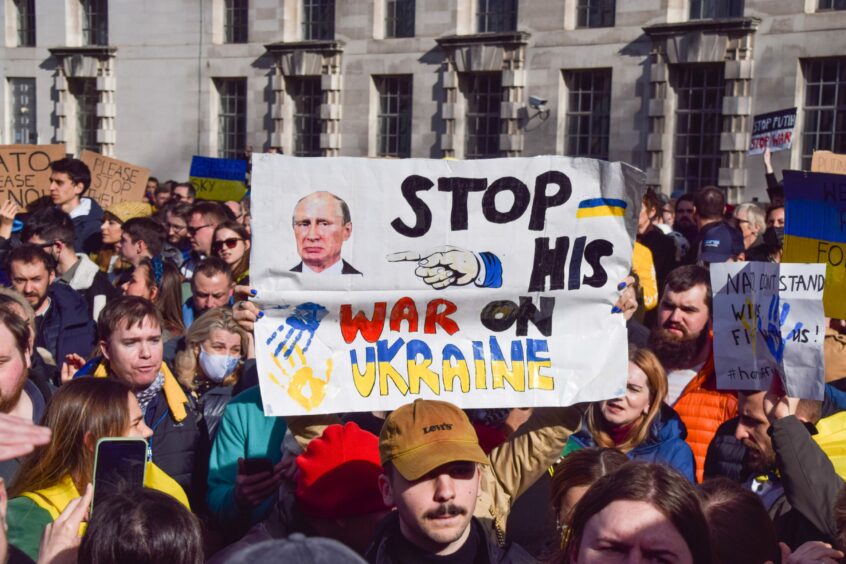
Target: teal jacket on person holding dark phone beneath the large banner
243	432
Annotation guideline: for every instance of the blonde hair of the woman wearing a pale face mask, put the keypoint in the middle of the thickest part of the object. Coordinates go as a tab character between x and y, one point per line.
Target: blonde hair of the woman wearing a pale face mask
185	363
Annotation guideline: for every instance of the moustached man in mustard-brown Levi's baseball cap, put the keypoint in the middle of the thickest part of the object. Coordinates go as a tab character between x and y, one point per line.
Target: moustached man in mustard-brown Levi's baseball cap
432	462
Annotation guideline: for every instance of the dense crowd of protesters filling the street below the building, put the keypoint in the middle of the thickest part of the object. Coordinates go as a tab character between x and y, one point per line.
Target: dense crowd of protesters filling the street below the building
134	321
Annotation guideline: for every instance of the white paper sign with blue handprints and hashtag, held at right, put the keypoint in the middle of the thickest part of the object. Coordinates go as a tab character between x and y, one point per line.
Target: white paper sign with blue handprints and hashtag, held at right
768	321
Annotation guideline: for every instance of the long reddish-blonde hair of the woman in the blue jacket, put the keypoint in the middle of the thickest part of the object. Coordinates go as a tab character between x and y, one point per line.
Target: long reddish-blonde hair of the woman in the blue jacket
656	380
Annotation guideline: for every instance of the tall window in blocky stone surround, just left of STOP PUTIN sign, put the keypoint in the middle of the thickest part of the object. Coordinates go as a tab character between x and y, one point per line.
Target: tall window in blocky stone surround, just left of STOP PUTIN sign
699	89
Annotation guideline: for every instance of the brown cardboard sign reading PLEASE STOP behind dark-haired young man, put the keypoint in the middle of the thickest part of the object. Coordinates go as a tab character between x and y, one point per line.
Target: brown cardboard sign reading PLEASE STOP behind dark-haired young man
114	181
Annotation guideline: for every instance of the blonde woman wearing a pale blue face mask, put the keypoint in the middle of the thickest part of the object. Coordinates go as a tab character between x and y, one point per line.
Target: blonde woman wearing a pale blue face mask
210	364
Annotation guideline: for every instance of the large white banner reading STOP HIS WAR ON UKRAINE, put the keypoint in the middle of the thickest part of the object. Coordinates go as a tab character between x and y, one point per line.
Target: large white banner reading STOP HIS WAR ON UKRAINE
483	283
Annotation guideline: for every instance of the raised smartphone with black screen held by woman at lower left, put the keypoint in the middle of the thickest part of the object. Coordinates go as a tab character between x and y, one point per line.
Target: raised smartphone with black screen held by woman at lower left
119	462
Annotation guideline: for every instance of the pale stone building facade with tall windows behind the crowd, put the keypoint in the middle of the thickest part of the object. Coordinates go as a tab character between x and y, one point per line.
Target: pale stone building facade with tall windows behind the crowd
669	86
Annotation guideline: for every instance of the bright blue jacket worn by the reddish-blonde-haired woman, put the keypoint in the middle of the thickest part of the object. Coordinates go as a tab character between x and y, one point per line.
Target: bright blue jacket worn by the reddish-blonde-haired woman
664	443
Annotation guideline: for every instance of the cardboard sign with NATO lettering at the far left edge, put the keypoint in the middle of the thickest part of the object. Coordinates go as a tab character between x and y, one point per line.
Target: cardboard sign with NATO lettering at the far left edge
25	171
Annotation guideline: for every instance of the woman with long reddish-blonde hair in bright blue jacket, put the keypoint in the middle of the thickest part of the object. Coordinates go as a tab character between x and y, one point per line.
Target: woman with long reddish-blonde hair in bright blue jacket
639	423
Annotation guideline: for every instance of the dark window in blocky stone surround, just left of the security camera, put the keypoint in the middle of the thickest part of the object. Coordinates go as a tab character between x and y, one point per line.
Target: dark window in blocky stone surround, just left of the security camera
483	92
